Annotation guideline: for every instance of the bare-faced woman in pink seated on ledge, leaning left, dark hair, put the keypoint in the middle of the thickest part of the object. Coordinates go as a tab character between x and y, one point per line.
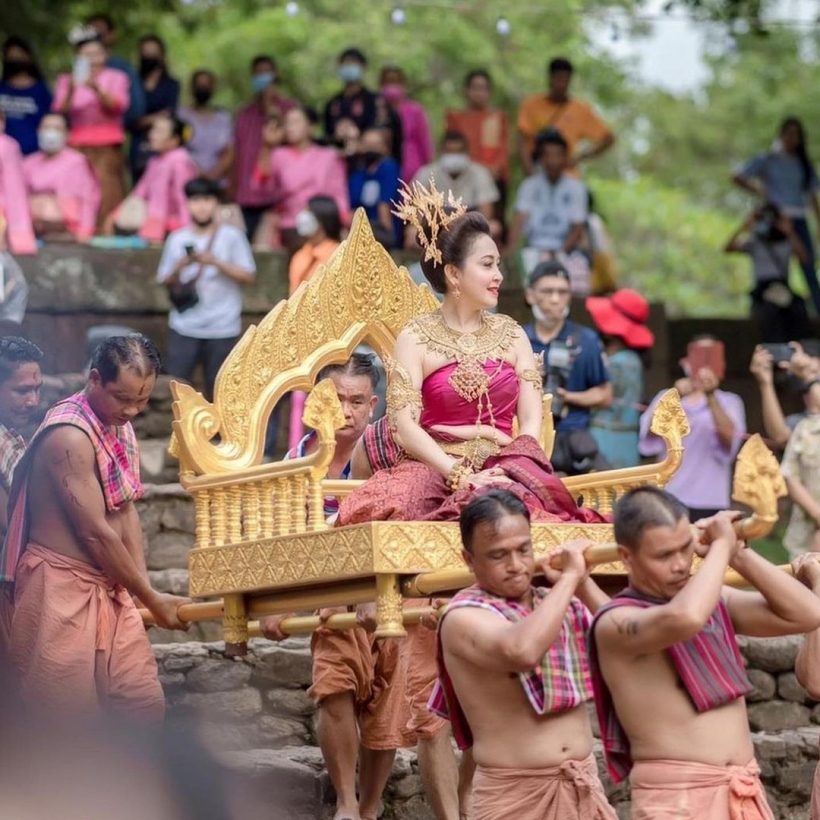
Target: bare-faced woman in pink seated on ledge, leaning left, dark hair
162	186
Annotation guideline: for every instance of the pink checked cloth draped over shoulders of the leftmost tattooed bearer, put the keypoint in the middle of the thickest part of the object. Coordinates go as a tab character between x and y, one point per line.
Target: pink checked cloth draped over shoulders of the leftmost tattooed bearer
118	464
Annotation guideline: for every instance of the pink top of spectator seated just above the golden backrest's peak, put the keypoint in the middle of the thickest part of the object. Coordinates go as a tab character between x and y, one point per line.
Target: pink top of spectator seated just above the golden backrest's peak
297	175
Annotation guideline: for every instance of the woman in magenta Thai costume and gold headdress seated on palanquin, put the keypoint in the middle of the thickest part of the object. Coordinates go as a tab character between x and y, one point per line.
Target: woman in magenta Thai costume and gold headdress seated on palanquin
459	377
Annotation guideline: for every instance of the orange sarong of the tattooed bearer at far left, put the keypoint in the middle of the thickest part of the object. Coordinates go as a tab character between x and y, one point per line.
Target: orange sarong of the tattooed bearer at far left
78	644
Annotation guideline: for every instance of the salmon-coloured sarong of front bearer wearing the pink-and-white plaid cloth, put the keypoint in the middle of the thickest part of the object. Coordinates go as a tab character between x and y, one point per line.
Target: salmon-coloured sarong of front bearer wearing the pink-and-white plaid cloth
571	791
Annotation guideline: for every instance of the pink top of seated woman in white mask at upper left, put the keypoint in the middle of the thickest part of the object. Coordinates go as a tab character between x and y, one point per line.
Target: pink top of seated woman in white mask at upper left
68	176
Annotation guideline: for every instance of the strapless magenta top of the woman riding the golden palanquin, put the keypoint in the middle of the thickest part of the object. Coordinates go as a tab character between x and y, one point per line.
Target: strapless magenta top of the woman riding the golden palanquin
442	405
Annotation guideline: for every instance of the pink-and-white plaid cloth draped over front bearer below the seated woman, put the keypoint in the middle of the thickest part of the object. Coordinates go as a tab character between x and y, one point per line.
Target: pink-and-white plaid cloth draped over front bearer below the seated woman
560	683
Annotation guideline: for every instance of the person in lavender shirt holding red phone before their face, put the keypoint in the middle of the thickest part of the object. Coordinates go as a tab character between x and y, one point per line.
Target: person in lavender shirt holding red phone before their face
717	422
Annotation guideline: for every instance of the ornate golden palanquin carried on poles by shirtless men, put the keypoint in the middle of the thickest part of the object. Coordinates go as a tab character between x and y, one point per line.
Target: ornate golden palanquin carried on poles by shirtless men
262	541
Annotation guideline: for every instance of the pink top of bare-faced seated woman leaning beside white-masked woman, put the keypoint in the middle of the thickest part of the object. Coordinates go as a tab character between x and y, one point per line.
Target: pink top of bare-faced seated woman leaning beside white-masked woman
162	186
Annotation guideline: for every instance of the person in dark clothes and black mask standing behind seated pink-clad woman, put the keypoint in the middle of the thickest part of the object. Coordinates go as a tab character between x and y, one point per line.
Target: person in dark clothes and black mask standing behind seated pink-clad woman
161	99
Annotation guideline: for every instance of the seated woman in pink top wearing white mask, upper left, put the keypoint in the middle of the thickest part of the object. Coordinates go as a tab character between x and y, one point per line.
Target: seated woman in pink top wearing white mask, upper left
64	195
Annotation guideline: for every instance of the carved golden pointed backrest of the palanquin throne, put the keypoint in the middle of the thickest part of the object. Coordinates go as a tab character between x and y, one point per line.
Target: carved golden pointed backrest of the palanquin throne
359	294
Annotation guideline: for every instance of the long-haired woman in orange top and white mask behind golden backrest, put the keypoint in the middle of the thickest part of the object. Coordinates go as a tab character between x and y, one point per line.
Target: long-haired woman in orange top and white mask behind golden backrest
320	224
